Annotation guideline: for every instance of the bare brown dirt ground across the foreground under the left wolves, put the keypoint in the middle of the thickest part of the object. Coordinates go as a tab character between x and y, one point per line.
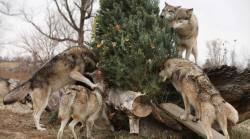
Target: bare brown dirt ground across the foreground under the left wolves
16	125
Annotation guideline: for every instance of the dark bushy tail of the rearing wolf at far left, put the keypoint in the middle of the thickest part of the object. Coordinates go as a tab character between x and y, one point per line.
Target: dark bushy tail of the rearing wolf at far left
17	94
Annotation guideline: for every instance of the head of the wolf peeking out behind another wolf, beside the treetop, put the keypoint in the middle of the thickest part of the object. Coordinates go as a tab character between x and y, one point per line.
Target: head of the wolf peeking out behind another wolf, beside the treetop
168	12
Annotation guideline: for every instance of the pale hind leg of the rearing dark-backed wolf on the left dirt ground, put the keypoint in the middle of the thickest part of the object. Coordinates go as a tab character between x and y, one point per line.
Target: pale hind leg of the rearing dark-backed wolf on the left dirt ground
40	98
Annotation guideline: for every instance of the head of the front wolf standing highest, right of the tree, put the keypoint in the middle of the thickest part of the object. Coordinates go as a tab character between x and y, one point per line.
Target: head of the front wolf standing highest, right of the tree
182	18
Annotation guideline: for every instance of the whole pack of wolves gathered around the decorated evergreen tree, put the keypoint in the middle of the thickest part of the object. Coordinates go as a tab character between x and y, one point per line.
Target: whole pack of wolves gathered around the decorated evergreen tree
87	105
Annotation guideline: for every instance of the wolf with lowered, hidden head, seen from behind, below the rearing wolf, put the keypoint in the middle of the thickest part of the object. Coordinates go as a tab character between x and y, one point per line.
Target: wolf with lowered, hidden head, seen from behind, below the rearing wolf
83	106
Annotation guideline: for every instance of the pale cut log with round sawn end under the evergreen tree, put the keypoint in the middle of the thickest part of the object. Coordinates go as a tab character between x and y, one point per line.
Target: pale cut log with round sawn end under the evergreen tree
134	104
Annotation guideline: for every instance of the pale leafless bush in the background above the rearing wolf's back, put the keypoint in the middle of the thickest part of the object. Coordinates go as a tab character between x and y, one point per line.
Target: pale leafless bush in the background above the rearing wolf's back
41	47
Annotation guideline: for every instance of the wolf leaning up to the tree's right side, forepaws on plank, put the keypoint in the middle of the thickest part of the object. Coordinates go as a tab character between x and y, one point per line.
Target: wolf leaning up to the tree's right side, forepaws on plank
197	90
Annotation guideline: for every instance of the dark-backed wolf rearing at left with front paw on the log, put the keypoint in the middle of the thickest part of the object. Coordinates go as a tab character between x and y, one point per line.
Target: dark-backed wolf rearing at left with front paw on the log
62	70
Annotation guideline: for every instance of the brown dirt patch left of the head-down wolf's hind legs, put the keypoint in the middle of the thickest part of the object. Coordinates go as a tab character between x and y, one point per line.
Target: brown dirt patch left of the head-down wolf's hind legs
21	126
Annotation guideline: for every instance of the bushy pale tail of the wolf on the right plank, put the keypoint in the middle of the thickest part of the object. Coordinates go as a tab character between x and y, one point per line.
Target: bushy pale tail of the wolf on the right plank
230	112
